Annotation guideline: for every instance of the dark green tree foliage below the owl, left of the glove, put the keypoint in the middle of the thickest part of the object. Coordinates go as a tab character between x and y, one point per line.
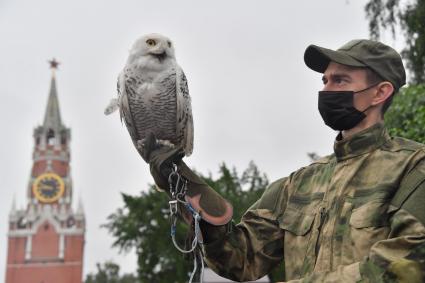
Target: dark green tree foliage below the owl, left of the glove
143	224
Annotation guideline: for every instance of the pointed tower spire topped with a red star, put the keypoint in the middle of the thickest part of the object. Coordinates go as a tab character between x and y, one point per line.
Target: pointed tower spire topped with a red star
52	117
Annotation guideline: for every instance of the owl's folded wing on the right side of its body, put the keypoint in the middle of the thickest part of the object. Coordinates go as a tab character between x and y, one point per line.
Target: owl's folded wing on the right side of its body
184	112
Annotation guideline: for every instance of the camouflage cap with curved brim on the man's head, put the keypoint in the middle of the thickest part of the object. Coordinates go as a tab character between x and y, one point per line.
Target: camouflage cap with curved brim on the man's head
381	58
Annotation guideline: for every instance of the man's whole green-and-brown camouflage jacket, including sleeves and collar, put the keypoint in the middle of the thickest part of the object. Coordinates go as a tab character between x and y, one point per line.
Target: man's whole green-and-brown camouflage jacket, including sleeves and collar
357	215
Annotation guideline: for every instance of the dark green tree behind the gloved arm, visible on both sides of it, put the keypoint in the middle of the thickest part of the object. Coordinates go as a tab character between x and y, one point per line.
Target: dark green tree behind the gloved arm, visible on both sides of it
143	224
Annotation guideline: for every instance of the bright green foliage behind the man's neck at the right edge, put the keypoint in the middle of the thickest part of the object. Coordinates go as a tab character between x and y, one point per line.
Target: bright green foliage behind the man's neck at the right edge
406	116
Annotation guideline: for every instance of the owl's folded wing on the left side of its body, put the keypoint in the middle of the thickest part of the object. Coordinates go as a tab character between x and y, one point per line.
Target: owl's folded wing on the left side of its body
124	90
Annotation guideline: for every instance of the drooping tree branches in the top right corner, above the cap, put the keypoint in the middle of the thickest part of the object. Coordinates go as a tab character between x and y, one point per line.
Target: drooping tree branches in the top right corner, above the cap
390	14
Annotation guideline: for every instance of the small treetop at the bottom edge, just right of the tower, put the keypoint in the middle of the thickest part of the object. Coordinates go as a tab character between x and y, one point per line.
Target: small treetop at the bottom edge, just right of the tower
109	273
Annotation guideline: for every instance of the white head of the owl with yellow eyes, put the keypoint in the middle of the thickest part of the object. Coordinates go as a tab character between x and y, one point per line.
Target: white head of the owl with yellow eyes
153	45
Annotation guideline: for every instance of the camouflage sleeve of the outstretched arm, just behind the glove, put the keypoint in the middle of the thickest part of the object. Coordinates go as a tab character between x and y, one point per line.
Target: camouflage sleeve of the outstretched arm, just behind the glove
250	249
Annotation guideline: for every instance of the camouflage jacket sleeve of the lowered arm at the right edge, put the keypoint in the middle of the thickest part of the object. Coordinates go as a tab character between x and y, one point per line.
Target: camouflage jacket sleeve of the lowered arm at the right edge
400	257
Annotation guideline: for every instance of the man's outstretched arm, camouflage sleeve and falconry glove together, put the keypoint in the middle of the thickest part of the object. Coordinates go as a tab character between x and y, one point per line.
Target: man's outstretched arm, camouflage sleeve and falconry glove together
254	246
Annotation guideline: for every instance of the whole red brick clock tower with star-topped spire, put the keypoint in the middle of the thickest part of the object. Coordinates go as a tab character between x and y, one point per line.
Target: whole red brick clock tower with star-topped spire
46	239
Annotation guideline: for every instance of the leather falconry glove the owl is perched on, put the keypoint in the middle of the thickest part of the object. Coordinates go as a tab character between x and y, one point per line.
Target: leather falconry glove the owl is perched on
212	207
